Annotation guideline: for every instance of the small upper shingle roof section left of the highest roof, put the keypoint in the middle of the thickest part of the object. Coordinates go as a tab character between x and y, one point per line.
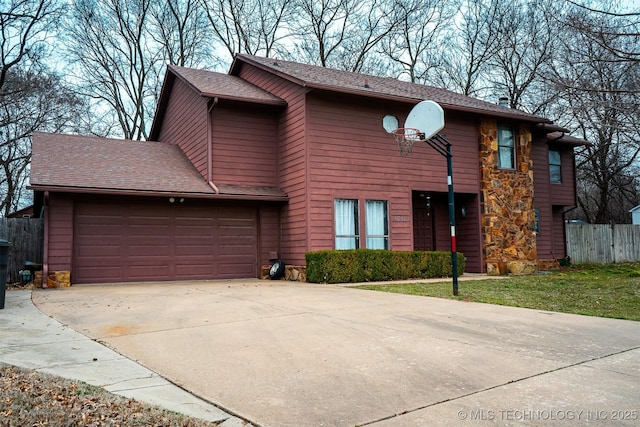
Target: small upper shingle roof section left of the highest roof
224	86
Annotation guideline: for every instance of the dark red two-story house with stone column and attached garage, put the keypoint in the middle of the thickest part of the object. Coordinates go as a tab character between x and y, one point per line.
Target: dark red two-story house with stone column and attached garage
277	158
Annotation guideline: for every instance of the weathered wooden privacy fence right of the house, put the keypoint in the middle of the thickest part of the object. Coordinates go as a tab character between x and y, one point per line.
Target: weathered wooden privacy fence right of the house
603	243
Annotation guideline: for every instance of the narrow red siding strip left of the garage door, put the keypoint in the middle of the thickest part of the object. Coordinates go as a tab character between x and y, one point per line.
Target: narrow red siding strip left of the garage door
60	232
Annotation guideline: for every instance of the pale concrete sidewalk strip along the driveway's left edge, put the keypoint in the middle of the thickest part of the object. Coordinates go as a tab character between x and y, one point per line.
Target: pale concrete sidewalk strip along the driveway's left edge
33	340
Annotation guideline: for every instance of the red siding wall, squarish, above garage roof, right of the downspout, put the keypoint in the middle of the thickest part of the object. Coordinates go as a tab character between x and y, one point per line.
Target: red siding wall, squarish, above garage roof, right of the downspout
244	145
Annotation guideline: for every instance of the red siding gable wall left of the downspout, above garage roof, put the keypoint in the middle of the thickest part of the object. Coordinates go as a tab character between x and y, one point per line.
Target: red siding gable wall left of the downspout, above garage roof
185	124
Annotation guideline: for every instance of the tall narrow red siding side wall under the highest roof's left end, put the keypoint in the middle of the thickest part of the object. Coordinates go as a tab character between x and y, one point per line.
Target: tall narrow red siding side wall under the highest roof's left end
291	159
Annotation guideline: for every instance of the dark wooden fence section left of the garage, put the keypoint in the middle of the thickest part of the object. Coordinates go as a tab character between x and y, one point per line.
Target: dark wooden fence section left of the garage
26	236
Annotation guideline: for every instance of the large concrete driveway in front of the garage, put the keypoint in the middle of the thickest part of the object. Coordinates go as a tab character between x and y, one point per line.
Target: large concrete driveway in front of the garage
289	354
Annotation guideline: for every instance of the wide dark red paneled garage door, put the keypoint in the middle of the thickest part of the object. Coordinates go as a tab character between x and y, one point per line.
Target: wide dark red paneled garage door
117	242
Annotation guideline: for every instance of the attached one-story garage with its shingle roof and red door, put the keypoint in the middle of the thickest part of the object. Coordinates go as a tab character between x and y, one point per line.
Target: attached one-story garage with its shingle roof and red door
133	211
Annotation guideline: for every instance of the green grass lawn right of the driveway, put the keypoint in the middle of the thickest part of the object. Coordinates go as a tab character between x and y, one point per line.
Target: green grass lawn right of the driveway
593	290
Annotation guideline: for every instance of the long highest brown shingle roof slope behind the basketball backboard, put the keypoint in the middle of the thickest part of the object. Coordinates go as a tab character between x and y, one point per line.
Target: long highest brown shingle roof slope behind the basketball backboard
316	77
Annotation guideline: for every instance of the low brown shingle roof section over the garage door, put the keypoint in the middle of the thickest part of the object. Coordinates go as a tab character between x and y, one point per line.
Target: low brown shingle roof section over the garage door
72	163
